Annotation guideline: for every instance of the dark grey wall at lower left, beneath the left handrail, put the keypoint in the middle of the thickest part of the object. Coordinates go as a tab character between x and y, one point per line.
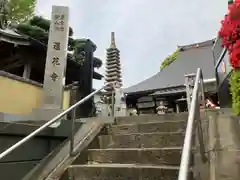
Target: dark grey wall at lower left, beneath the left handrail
17	164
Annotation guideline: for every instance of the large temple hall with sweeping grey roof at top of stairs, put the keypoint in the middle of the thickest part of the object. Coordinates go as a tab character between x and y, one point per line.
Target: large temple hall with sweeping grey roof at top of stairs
168	86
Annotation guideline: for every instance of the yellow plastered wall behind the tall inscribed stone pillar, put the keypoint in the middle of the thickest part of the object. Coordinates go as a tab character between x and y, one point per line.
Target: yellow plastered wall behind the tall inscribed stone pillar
20	96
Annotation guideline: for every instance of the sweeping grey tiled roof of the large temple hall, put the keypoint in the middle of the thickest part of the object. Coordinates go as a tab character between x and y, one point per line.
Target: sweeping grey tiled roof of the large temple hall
190	58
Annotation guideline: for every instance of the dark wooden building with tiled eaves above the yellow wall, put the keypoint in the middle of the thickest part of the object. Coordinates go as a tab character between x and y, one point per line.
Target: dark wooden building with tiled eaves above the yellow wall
25	57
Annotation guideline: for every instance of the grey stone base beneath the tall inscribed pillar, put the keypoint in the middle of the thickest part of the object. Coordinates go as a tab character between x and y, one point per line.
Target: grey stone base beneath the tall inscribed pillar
44	114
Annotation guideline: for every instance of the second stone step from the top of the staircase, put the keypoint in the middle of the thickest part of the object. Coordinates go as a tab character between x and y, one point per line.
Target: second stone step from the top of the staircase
165	126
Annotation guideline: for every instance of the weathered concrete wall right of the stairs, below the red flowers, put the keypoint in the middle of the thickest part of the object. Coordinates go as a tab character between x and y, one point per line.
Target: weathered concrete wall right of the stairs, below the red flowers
221	133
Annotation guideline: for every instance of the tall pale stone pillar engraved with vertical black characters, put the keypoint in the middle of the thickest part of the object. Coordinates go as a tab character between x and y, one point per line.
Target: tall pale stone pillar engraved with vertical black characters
55	67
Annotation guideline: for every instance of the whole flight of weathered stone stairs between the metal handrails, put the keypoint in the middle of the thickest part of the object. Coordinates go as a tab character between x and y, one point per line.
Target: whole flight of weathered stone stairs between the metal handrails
133	148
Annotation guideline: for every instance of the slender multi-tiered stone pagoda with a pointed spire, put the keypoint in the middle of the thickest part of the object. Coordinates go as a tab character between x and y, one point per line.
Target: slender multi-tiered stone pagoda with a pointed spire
113	66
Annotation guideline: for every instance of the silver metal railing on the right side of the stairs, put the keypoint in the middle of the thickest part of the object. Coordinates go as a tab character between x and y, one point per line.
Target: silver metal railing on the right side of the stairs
195	96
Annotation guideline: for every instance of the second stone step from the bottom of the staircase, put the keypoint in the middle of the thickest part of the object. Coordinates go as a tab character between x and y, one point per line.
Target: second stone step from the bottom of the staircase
153	156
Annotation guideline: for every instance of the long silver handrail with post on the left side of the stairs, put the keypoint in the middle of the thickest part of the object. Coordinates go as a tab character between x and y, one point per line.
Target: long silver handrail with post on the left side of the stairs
53	120
